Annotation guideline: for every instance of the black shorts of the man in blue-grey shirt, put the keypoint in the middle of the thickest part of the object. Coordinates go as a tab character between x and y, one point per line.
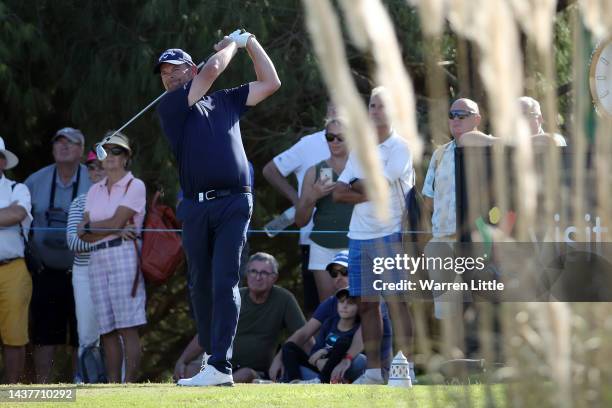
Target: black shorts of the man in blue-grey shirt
53	319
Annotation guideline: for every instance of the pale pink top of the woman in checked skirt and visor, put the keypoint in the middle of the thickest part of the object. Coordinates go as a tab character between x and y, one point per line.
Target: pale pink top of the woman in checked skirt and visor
101	205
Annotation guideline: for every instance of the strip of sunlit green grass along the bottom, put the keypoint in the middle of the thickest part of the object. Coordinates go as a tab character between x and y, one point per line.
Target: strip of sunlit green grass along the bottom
276	395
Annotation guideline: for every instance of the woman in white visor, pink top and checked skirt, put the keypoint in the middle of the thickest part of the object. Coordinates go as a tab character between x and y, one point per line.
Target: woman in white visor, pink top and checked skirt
114	205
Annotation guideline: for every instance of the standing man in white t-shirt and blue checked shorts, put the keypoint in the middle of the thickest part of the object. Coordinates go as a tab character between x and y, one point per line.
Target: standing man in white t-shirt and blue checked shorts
370	238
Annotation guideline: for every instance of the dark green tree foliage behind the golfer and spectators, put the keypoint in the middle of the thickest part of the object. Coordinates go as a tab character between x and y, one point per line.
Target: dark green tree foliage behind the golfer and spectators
88	64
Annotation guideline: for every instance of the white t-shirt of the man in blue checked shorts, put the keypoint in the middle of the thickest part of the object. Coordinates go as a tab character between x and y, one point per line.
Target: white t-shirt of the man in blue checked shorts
396	161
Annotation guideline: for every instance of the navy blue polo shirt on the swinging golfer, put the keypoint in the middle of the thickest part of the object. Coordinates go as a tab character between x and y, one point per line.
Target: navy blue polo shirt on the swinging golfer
205	138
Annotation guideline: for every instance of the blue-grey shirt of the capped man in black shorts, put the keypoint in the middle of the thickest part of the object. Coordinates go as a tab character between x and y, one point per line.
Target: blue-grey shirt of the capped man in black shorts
51	245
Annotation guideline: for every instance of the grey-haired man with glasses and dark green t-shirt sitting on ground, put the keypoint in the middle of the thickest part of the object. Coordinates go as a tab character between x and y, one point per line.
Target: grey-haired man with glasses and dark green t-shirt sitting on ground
266	311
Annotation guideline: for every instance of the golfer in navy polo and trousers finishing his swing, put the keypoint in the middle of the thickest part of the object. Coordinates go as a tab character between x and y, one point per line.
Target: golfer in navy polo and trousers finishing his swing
204	133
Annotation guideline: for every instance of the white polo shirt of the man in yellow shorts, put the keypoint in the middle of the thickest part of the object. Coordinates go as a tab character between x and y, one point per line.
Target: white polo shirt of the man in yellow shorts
11	241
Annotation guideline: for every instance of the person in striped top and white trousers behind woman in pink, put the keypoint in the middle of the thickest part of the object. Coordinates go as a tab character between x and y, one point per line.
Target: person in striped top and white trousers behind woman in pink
87	325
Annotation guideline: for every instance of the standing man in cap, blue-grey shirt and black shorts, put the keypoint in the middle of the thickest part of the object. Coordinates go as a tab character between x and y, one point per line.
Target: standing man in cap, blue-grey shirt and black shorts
53	188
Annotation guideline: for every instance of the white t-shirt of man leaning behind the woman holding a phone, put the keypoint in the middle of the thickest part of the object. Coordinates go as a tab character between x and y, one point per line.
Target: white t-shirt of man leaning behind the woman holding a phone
307	152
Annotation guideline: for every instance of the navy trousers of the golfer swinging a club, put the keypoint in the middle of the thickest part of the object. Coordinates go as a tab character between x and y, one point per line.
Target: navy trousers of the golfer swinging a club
214	234
